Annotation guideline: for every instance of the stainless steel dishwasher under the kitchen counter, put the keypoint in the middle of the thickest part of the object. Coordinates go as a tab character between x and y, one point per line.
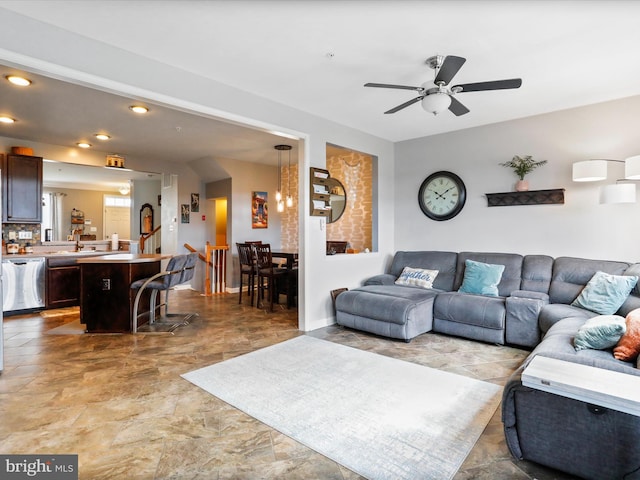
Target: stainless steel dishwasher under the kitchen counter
22	284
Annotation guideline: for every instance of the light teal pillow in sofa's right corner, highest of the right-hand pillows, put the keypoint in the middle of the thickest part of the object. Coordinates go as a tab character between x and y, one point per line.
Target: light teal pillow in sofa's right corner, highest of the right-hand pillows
605	294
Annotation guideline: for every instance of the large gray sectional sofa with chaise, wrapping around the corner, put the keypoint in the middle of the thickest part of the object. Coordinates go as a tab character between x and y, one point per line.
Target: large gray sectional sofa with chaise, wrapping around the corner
532	309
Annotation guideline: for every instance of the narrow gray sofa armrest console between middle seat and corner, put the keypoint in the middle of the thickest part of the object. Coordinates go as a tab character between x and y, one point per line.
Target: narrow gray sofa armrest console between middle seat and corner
523	308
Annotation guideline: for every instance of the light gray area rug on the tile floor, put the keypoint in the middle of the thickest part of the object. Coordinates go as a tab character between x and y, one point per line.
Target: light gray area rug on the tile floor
380	417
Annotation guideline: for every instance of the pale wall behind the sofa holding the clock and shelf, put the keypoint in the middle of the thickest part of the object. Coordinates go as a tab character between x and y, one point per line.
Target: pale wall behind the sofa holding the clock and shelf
580	227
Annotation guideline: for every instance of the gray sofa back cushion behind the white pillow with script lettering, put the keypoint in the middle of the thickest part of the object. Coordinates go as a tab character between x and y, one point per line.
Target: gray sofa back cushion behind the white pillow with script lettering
444	262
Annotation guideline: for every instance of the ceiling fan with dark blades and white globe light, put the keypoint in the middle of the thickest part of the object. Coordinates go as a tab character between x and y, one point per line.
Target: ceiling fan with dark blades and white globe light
438	96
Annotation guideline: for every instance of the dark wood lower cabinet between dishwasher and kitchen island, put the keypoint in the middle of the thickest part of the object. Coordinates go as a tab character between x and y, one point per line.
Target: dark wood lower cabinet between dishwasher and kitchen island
63	283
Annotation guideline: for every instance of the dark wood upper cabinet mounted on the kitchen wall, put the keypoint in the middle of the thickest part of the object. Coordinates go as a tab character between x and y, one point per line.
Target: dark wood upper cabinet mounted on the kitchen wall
21	189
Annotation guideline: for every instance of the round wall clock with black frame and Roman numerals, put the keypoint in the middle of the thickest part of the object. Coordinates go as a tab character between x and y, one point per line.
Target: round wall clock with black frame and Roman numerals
442	195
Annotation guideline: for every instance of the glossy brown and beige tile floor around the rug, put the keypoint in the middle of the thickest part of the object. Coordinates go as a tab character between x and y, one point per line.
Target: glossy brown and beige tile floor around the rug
118	401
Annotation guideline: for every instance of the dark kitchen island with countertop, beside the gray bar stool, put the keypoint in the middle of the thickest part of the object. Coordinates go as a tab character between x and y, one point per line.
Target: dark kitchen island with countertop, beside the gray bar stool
106	297
